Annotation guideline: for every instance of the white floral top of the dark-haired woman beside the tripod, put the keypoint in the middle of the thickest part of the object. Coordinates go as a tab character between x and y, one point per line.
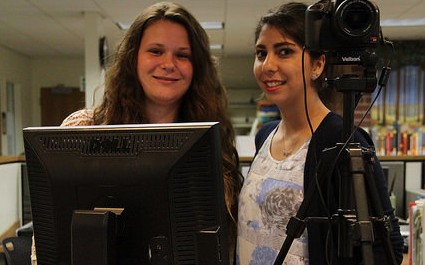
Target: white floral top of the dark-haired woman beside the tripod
272	193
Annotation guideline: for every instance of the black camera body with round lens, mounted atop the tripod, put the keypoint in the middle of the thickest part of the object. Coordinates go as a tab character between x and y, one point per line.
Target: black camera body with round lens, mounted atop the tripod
342	25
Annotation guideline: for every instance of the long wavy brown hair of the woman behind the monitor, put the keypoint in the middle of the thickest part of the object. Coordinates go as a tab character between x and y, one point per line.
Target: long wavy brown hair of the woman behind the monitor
205	100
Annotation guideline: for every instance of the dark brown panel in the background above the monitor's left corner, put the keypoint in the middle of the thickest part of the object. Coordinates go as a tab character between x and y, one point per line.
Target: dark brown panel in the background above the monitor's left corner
58	102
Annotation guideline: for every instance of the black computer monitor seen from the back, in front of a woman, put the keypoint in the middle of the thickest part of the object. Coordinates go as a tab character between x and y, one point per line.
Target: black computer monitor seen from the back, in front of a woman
158	190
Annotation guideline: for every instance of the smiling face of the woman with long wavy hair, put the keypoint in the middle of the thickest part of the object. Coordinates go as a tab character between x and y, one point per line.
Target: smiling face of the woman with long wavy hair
164	65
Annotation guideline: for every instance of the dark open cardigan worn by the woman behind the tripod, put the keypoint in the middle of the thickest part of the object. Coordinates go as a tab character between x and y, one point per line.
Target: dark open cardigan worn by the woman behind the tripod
327	135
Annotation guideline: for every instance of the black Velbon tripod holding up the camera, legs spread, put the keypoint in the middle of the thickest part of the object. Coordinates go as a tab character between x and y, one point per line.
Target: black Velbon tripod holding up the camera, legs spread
357	191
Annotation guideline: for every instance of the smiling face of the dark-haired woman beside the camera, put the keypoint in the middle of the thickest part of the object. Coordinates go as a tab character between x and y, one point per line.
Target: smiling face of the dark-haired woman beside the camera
278	67
